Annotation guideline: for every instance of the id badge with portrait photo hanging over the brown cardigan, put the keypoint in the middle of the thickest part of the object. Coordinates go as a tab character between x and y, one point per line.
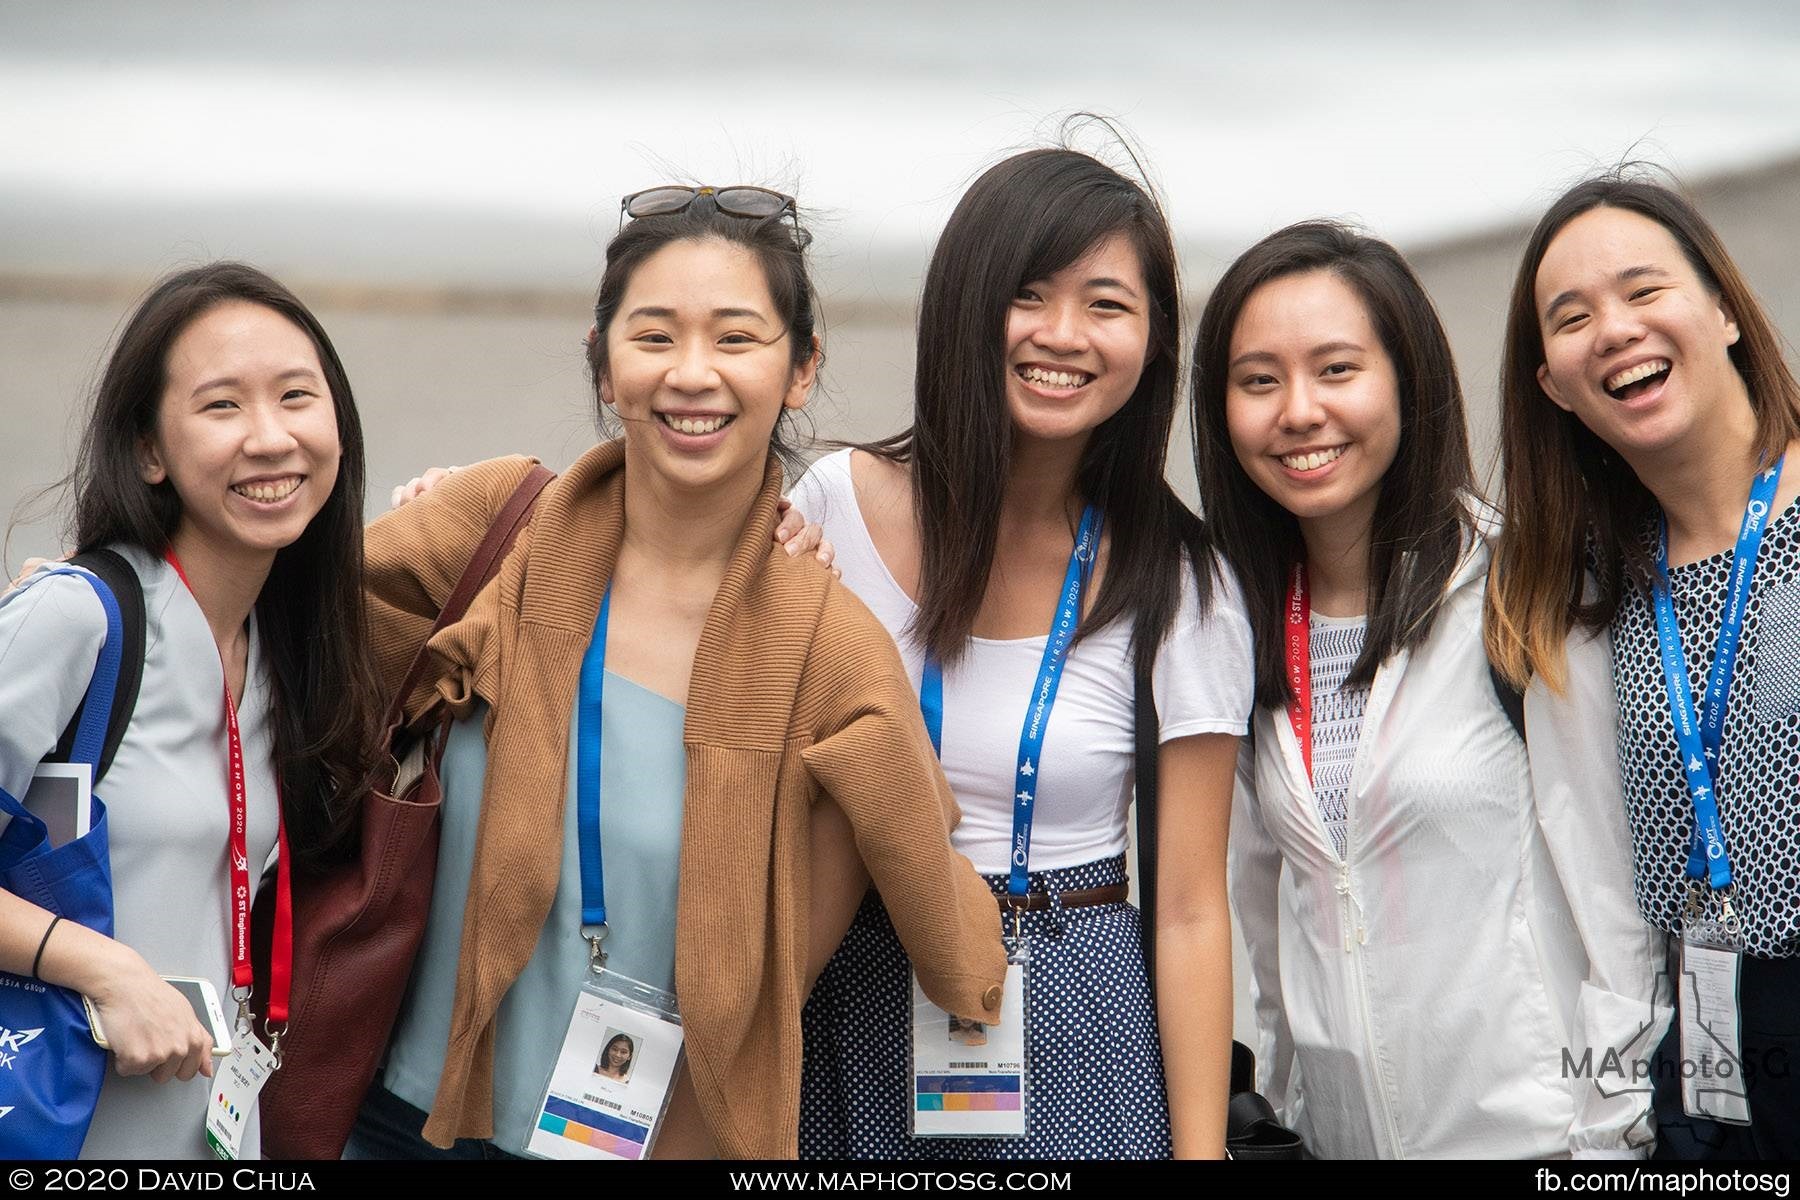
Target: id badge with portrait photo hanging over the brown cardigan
615	1075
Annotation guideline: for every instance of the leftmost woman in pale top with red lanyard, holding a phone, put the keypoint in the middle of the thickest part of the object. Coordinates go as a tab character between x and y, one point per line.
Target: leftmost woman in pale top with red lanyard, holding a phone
222	461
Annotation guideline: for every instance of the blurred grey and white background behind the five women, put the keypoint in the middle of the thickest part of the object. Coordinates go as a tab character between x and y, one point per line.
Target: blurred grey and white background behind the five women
438	181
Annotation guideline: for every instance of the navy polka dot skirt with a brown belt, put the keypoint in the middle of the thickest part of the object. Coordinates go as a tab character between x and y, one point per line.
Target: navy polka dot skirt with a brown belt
1095	1059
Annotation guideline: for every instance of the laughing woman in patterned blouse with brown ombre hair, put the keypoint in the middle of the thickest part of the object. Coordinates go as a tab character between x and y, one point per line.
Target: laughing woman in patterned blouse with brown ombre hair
1646	415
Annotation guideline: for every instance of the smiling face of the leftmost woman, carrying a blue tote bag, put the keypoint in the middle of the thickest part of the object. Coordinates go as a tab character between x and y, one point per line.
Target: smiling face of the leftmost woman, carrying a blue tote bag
246	433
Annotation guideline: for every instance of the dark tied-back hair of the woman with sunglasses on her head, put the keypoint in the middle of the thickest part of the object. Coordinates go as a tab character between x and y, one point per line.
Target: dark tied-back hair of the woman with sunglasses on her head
780	249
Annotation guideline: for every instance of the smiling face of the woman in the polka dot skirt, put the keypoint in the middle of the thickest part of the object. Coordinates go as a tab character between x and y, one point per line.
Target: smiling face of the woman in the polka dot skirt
1077	343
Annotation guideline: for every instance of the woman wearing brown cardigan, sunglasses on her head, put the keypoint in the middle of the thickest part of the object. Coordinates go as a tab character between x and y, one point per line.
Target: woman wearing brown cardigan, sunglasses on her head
778	695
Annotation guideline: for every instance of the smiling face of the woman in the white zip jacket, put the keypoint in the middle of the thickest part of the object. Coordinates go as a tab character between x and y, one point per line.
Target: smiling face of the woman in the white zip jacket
1313	400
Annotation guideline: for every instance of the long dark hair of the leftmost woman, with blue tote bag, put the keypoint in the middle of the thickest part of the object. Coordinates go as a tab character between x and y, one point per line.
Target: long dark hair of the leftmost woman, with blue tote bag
310	613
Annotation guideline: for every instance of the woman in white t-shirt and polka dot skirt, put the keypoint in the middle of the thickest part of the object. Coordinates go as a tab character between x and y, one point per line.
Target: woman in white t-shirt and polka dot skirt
1045	397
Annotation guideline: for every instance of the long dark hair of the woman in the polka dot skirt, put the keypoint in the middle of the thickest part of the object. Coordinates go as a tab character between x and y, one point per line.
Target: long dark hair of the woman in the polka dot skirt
1029	219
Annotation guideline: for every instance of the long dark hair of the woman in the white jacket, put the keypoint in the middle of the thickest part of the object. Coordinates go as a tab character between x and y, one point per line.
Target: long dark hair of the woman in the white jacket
1421	517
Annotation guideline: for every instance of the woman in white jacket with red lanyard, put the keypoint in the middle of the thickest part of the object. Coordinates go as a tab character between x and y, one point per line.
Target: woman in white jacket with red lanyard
1444	945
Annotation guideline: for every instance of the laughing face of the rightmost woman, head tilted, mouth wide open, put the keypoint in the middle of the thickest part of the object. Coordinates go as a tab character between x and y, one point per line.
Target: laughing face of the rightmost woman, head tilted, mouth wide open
1637	346
